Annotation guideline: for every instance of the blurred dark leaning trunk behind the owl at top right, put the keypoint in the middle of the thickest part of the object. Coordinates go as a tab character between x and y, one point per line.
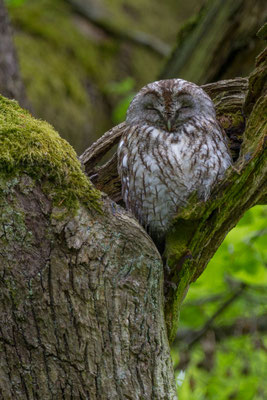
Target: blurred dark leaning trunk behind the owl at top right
218	43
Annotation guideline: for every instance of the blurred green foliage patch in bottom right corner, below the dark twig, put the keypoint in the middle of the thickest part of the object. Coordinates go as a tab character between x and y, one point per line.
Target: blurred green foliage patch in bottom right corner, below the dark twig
239	373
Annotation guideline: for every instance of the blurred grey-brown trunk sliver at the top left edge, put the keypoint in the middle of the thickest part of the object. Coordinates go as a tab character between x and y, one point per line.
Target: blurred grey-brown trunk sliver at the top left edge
10	81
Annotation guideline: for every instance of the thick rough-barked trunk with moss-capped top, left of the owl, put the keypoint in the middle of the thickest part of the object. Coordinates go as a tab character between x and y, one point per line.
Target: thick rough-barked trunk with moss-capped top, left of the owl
81	282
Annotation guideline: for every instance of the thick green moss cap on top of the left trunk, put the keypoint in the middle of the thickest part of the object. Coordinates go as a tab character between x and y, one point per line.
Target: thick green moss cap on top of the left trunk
32	147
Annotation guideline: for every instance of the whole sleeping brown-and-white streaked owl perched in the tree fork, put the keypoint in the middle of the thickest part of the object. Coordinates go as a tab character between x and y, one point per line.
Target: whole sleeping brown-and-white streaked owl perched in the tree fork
172	146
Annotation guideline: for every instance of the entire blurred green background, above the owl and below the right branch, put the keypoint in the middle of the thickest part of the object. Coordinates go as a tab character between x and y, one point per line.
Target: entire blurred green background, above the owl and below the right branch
81	63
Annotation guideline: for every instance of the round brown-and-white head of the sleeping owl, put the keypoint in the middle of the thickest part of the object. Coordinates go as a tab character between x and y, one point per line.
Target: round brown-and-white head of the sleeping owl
168	104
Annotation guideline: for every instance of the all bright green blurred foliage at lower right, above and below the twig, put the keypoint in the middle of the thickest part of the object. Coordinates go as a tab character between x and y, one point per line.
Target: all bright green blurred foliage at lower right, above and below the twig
238	365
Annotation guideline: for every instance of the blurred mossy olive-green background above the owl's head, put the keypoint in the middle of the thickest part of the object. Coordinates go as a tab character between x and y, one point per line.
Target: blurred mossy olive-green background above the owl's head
82	60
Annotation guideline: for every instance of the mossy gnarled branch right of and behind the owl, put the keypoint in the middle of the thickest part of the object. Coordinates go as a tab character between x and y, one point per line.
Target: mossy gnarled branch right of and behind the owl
199	229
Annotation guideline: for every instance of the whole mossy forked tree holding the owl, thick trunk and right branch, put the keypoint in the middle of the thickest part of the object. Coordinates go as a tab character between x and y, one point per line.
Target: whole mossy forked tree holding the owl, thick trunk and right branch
81	282
